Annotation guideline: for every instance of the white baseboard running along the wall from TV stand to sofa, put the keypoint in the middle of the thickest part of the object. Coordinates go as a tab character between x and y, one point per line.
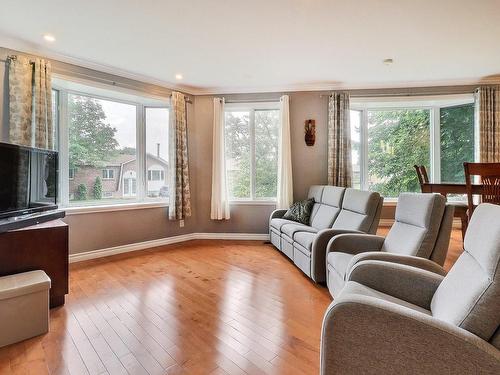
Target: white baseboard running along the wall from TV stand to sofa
94	254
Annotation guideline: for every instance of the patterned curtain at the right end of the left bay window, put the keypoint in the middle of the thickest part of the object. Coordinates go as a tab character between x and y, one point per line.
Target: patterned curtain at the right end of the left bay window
180	195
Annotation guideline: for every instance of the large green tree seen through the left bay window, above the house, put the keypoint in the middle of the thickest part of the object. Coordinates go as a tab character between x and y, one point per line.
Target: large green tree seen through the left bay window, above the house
91	139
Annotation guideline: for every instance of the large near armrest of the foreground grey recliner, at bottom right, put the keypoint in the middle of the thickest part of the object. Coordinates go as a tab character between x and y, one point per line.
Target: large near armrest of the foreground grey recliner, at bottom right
365	335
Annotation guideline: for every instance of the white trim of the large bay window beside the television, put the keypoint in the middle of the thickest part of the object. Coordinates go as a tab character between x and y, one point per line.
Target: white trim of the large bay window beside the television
64	86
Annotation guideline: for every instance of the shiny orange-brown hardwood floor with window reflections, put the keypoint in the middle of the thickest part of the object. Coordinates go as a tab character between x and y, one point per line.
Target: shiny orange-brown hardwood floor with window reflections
201	307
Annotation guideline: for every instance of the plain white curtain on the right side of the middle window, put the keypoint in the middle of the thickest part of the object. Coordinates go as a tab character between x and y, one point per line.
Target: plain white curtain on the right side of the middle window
285	182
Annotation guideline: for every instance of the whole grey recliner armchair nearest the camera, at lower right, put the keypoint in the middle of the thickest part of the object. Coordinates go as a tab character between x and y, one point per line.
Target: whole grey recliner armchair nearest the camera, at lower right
392	318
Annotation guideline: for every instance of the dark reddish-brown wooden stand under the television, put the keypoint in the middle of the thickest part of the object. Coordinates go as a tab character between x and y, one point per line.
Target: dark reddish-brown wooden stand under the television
39	247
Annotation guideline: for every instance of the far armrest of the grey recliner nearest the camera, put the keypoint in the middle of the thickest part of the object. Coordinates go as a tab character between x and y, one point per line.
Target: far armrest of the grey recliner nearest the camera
408	283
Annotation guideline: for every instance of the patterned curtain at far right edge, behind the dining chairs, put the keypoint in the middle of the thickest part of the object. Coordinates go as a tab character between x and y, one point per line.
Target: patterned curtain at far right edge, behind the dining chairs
488	102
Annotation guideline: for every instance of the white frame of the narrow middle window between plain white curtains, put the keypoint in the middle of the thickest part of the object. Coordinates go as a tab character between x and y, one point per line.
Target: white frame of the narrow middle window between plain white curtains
251	107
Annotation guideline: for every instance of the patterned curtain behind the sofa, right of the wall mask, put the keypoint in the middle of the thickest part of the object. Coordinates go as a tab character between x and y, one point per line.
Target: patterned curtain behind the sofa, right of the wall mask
339	140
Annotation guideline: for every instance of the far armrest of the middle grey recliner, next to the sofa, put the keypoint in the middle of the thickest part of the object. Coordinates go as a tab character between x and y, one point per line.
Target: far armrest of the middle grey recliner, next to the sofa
355	243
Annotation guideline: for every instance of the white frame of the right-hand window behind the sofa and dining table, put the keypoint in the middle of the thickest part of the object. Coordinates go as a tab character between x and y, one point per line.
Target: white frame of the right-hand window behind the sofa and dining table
431	103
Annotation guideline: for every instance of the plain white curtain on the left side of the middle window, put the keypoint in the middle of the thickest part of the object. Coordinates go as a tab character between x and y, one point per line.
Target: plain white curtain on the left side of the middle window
220	196
